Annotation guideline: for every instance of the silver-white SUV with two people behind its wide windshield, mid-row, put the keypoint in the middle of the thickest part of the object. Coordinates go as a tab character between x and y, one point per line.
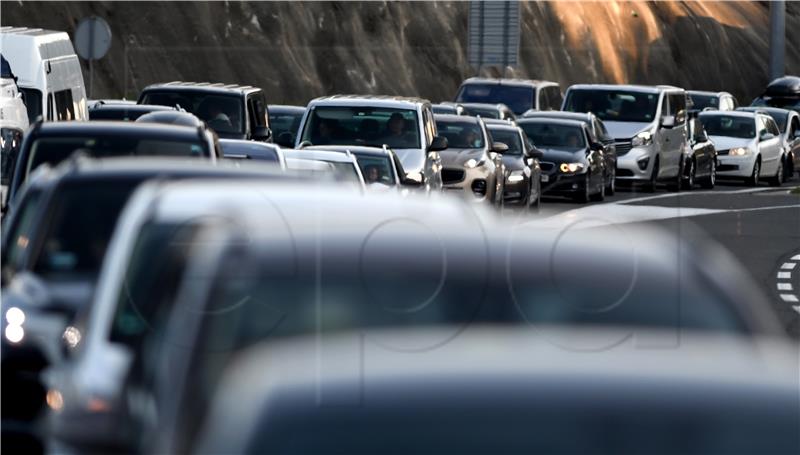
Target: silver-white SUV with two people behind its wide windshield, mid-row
404	125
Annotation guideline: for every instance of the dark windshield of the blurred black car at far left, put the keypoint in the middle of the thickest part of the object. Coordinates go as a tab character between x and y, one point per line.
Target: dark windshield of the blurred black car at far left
80	225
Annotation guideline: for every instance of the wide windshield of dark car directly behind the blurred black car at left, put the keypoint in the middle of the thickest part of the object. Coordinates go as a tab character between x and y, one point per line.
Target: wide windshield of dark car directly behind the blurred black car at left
53	150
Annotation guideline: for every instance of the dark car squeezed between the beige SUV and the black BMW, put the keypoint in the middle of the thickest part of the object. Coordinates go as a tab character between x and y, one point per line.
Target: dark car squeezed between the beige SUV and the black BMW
523	185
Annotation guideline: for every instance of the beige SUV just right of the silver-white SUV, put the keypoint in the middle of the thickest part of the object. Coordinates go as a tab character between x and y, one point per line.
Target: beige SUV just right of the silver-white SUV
472	165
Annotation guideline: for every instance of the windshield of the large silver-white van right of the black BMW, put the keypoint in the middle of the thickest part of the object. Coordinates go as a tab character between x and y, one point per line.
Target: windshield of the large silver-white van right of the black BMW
614	105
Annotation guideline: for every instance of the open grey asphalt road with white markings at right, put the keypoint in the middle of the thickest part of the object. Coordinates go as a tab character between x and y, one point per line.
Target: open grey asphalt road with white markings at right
760	226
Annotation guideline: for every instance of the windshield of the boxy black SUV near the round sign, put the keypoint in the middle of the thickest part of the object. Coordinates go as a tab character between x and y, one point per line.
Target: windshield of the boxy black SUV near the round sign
223	113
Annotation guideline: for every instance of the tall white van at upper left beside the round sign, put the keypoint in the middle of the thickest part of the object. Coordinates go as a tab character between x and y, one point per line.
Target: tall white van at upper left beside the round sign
48	73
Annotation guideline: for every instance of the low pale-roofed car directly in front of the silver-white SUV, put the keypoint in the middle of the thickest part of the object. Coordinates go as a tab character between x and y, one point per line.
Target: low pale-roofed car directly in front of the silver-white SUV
380	167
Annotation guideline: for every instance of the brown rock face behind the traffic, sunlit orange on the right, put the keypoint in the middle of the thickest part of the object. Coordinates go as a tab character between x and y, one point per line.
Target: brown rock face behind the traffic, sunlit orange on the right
297	50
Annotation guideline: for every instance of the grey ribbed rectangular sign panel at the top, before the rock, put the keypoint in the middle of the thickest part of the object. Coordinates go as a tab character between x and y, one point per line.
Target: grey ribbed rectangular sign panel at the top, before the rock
493	33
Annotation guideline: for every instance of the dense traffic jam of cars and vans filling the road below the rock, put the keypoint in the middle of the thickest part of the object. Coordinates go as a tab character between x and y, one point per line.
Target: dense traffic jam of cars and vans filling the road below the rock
525	267
